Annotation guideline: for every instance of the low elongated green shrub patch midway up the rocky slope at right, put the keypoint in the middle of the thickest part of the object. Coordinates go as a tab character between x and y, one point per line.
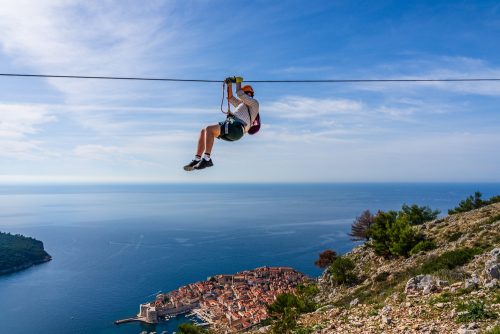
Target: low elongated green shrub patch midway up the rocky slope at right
449	260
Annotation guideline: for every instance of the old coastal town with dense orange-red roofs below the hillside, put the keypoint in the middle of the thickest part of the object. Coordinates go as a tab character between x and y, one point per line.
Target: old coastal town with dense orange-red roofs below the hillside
234	302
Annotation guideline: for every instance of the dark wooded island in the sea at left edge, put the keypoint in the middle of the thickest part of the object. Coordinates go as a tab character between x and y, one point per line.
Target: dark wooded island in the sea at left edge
18	252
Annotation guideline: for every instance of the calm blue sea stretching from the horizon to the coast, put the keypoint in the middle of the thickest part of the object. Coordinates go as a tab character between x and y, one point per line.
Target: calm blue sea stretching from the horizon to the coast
116	246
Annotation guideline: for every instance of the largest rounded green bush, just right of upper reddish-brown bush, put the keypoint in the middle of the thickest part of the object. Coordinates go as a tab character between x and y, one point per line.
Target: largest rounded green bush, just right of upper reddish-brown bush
392	234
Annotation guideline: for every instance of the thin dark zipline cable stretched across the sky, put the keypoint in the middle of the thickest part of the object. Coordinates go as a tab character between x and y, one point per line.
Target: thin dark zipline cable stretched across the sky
250	81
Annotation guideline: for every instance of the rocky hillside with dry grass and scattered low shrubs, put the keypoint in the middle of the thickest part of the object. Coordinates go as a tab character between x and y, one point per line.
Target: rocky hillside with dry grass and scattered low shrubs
451	289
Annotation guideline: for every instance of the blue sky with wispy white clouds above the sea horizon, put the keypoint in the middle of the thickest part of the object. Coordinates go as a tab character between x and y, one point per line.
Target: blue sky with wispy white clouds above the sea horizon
60	130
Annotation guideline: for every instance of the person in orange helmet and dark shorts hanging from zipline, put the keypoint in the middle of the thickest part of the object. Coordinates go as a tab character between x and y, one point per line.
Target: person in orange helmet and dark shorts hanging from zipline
244	119
